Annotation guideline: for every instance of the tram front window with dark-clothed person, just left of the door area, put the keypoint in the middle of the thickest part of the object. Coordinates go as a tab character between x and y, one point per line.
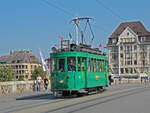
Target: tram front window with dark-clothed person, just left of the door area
71	64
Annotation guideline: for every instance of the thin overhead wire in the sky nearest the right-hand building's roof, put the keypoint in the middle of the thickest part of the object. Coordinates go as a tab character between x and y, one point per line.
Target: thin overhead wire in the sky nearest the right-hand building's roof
110	10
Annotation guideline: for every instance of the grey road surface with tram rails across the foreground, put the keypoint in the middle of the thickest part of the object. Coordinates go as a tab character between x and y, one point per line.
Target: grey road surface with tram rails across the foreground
131	98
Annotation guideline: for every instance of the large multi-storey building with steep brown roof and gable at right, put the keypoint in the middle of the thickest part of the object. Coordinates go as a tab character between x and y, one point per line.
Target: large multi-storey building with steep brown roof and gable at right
129	49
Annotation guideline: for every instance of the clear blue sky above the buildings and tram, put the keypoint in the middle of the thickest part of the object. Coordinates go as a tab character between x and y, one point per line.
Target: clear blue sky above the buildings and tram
34	24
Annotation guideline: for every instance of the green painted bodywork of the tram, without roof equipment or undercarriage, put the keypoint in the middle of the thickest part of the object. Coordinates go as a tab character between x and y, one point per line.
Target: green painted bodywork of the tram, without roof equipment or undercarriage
82	78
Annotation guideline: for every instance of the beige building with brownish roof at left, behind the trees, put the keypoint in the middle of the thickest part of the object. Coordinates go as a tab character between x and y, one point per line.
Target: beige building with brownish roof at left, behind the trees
22	62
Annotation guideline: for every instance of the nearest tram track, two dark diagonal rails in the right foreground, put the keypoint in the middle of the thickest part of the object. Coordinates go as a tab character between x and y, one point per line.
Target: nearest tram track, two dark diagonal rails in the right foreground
112	96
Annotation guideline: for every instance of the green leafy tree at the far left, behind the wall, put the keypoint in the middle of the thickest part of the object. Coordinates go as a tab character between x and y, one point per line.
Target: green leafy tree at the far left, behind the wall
6	73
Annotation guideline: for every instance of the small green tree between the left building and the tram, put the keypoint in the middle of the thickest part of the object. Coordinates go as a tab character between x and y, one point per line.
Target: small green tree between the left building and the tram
38	71
